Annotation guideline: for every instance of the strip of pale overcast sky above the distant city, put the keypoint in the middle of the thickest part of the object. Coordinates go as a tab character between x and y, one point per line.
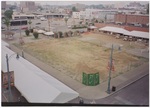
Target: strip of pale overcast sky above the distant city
60	2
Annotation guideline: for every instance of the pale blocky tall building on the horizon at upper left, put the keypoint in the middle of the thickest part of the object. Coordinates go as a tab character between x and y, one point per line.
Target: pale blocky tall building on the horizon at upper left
27	6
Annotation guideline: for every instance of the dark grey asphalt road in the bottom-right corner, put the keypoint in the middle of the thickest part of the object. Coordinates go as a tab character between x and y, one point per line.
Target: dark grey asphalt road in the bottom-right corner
135	94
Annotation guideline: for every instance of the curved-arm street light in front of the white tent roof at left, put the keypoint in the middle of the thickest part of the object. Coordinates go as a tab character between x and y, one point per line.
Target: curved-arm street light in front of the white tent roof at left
9	86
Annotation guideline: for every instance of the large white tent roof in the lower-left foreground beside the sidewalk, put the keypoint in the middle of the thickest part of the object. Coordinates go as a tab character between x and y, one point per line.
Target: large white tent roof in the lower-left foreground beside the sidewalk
33	83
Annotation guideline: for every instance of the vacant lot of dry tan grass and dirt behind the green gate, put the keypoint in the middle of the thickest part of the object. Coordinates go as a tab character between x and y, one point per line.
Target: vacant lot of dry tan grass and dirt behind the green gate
75	55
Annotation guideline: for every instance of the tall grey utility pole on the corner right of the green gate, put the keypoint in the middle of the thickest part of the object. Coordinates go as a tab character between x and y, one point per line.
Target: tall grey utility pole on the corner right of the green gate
110	68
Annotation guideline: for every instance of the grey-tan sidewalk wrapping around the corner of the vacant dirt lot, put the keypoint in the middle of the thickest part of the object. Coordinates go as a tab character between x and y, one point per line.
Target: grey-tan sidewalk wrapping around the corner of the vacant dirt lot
88	92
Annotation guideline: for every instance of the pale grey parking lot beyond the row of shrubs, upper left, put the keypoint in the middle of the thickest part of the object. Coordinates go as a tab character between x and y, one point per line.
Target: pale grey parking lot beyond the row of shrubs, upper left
55	25
